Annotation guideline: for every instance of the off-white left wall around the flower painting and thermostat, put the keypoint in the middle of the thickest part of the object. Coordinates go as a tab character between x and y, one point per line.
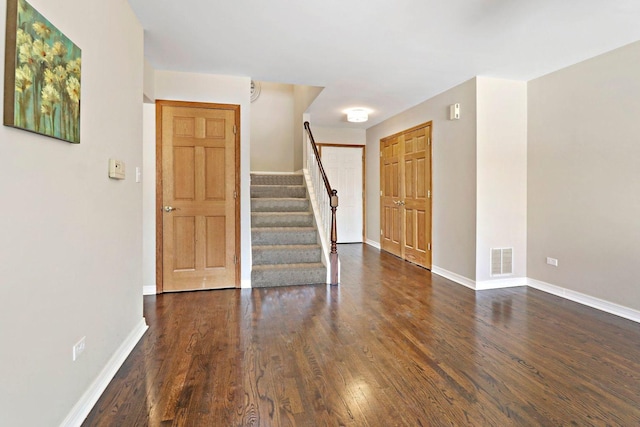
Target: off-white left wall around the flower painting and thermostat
71	237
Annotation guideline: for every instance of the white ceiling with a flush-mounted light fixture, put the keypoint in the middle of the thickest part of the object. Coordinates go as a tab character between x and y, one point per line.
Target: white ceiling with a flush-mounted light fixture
384	55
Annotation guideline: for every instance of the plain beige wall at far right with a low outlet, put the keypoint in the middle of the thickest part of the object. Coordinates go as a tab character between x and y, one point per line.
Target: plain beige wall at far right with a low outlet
584	177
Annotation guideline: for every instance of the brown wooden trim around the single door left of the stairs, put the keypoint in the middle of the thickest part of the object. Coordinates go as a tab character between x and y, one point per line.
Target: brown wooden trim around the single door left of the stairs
169	103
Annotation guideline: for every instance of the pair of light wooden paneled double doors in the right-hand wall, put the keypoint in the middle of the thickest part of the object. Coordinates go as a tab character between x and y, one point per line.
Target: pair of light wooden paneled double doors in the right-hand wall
405	166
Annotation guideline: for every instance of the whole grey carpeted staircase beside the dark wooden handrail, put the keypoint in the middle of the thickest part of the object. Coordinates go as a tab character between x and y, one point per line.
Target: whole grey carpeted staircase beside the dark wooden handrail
284	238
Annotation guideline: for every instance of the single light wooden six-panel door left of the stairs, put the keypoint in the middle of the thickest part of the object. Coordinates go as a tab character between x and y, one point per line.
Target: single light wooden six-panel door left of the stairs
198	208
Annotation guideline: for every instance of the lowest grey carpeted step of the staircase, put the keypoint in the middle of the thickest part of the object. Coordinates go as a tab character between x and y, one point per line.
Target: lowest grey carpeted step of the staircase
264	276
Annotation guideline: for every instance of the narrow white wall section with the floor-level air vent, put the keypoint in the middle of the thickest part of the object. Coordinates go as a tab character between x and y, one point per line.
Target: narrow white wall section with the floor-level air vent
502	175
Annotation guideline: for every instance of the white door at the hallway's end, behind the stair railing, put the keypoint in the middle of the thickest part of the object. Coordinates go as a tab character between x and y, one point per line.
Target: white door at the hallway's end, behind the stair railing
343	166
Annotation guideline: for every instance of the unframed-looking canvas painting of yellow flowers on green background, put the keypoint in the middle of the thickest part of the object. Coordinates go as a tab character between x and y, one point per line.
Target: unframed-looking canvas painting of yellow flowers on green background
42	75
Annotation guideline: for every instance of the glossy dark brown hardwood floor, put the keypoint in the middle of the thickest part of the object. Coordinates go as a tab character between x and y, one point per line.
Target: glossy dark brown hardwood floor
393	345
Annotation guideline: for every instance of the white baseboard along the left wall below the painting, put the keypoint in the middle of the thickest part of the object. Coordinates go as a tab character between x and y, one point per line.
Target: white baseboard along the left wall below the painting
81	409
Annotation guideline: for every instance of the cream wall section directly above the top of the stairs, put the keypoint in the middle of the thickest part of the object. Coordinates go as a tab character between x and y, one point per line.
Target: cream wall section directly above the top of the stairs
272	129
